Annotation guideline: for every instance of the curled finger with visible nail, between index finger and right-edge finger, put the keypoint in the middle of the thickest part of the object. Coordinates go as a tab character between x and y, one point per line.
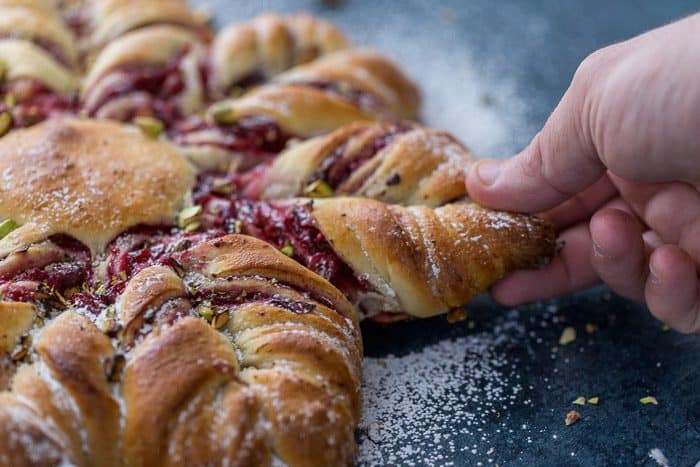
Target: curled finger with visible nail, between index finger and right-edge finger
618	252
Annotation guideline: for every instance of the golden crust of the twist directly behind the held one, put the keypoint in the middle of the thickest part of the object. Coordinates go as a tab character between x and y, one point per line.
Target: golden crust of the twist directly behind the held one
418	166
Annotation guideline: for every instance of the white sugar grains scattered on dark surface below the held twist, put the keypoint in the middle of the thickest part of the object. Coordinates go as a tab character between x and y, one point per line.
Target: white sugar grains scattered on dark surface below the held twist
420	408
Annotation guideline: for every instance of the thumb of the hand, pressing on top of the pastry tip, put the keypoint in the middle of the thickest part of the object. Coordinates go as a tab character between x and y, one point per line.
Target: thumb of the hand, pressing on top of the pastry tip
559	162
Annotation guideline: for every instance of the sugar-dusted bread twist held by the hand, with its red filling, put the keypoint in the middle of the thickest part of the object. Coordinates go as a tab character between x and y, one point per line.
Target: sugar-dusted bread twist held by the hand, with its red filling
388	259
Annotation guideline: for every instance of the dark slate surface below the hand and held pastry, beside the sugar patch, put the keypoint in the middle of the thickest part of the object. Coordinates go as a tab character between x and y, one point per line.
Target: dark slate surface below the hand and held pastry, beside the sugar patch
629	357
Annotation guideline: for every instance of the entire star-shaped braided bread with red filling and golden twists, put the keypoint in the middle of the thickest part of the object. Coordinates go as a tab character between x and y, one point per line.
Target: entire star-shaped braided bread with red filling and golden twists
159	304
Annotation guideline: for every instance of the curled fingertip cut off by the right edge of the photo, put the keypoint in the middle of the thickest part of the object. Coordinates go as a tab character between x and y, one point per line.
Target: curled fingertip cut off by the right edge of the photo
672	292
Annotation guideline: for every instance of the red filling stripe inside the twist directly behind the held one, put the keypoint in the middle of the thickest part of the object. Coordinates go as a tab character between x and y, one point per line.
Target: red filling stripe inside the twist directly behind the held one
337	167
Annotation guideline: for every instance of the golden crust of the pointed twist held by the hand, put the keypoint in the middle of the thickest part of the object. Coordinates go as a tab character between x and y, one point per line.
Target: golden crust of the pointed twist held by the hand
426	261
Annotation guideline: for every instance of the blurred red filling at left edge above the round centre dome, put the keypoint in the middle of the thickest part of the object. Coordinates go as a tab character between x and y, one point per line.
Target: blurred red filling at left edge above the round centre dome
33	102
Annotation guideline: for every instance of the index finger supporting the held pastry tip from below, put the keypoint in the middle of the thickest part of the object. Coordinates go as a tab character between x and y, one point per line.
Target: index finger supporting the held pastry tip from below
570	270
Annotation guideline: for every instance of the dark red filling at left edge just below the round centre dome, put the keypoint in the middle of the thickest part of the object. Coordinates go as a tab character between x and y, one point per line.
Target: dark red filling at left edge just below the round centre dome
73	271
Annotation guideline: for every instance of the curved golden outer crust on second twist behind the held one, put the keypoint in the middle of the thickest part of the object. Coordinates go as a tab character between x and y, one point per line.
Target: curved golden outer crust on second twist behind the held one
367	71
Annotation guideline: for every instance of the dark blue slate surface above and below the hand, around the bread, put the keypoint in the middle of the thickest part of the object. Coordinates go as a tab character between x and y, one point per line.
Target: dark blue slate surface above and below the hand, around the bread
537	45
